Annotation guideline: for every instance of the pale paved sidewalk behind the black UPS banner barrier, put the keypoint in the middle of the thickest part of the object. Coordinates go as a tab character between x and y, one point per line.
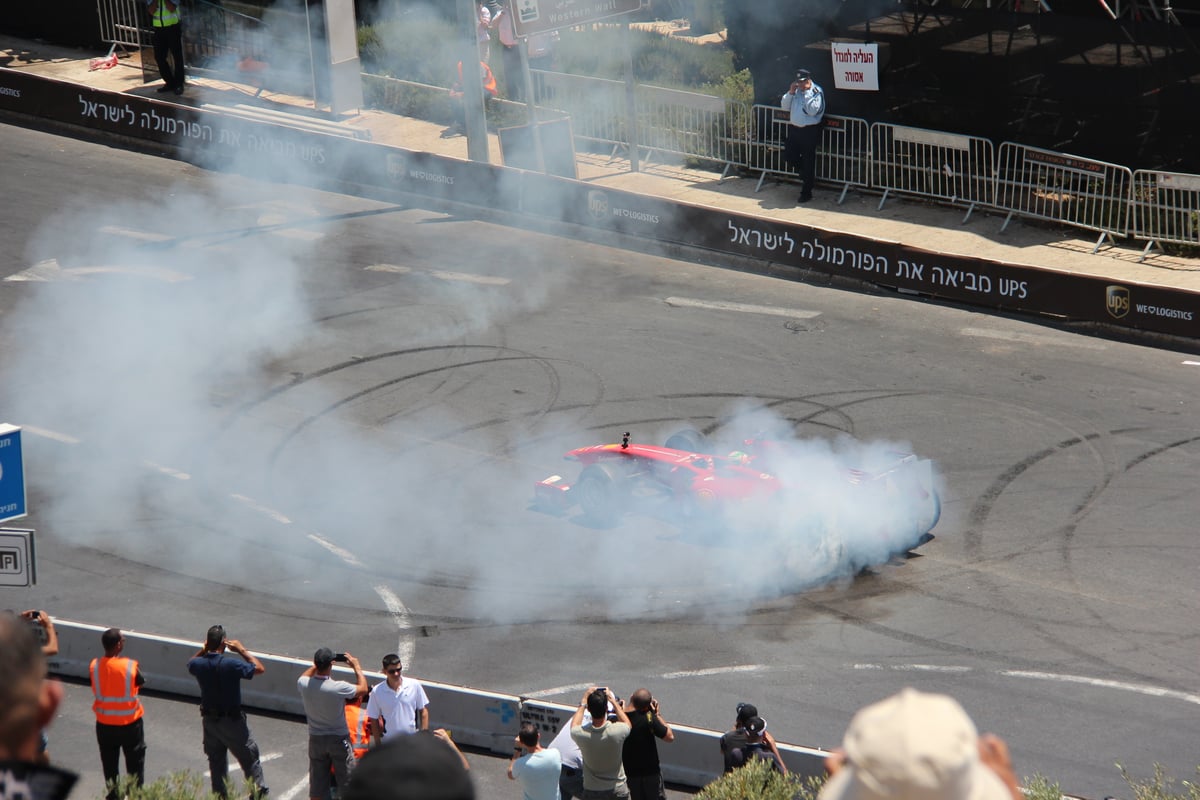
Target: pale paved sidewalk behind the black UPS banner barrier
915	224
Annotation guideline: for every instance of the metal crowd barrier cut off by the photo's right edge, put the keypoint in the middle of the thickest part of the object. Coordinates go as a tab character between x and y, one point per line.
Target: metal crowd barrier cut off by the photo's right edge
1165	207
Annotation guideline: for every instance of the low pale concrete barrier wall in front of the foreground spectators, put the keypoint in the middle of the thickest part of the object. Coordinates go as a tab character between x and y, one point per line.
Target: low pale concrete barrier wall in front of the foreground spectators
479	719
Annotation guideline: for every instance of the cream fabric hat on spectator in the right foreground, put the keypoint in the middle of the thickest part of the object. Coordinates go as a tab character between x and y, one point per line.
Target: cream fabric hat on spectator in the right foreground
914	747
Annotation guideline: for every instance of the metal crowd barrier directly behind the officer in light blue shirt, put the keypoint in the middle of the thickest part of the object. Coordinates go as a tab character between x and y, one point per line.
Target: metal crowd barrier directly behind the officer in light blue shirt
843	154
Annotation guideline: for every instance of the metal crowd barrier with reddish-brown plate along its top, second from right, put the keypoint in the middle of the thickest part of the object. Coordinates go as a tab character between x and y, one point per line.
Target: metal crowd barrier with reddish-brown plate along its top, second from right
1077	191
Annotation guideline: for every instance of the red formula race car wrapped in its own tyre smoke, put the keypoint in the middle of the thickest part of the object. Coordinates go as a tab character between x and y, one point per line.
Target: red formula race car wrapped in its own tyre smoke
892	502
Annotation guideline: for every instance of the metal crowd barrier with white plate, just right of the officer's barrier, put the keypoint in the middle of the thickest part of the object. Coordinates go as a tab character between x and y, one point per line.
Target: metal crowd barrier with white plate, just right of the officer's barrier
950	167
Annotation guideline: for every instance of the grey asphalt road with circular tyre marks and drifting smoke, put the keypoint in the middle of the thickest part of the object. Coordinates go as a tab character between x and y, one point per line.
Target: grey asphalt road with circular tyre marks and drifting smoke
319	419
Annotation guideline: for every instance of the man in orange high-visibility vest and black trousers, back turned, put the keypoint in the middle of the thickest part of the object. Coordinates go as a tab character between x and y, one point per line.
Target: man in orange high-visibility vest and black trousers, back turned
116	683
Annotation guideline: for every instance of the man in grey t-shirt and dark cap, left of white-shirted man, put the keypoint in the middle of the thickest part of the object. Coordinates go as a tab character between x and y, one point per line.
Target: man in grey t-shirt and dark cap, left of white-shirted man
325	705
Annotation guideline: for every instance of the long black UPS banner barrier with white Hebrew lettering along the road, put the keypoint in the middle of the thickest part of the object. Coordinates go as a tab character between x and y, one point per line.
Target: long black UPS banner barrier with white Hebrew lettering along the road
333	163
